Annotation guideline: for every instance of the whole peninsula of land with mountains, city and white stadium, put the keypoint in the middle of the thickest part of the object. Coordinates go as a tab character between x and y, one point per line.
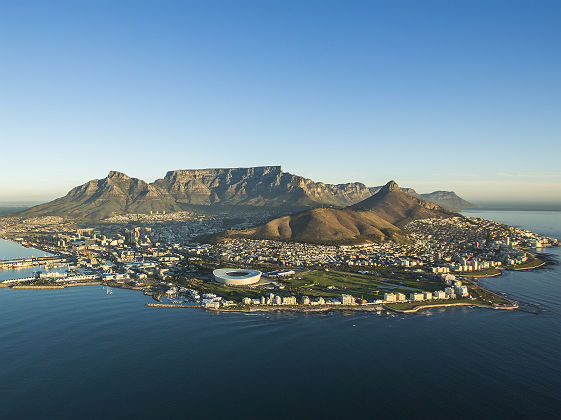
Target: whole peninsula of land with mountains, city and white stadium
360	249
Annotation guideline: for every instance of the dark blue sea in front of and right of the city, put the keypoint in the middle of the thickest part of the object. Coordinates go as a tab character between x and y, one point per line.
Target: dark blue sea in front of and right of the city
83	353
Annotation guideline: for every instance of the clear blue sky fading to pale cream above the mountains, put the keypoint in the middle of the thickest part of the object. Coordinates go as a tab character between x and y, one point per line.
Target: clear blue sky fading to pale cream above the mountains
437	95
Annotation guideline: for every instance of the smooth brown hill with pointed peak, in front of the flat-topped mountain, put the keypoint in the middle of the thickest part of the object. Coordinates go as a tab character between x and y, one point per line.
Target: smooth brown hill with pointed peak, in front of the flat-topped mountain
378	218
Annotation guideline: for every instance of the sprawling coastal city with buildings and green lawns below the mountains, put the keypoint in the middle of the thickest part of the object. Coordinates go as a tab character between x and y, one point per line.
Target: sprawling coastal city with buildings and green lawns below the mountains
437	266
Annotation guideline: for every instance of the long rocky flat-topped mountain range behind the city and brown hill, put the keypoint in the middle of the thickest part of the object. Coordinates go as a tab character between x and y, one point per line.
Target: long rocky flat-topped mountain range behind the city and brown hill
209	189
